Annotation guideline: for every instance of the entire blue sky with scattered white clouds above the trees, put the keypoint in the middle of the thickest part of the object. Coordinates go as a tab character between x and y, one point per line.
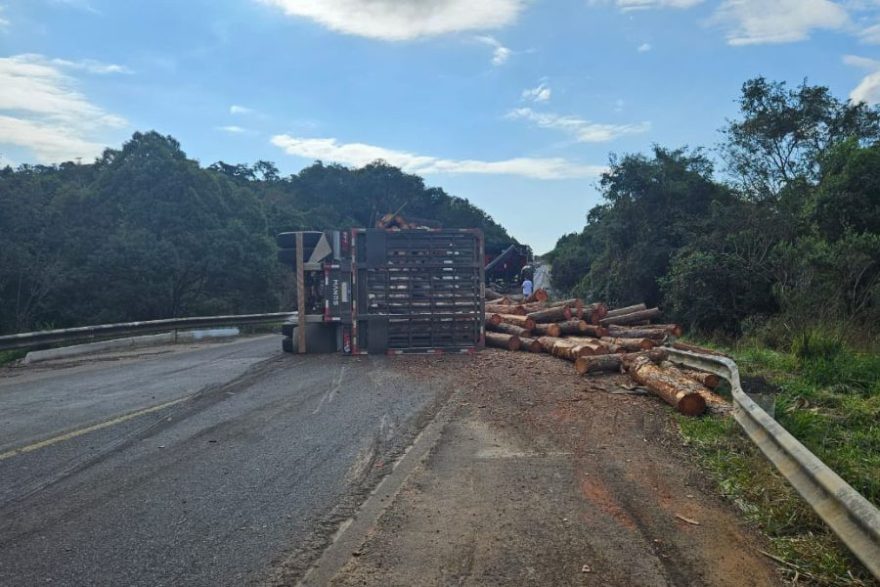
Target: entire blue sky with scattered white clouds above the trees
515	105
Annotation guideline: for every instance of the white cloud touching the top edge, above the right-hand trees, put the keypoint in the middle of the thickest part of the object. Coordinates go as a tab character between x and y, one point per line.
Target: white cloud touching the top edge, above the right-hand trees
754	22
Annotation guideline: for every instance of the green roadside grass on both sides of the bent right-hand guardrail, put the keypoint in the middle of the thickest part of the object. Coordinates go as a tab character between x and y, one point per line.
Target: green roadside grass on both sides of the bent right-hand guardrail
829	399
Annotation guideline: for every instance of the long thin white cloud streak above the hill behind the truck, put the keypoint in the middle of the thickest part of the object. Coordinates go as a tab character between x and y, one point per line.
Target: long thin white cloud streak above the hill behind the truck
360	154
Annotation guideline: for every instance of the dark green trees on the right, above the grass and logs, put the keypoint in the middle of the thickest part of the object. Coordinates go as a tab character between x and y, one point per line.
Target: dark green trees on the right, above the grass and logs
774	231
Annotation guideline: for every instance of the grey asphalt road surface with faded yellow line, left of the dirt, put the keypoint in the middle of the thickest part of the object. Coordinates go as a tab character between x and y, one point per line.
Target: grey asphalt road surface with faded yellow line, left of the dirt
206	465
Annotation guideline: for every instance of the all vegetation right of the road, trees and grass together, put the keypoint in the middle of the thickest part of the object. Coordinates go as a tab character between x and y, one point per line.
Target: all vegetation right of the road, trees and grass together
773	254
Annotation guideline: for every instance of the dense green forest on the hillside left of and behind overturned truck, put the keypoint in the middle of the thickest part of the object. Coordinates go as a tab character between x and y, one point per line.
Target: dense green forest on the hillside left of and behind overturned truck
145	232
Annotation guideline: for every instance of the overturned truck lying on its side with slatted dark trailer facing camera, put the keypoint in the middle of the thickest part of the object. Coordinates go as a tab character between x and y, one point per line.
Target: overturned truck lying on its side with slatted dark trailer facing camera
378	291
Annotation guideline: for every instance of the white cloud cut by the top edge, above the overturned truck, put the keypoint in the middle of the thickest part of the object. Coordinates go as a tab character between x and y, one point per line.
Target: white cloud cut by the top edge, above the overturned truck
403	20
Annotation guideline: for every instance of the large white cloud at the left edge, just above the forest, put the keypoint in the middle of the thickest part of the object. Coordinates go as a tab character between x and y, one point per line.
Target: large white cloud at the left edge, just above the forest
41	110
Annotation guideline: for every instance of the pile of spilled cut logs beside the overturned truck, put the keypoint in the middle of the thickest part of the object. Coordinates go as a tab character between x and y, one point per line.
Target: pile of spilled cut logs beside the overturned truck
599	340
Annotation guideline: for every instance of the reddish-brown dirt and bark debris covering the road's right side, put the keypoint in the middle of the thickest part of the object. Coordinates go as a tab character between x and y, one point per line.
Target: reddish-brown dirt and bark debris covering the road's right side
546	478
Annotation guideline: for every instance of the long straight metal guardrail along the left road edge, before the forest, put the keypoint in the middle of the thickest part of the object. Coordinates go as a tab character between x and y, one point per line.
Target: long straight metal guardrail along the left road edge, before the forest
85	333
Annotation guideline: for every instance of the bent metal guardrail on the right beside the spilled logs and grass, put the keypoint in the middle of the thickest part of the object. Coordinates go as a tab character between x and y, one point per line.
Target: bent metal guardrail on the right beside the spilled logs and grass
854	519
